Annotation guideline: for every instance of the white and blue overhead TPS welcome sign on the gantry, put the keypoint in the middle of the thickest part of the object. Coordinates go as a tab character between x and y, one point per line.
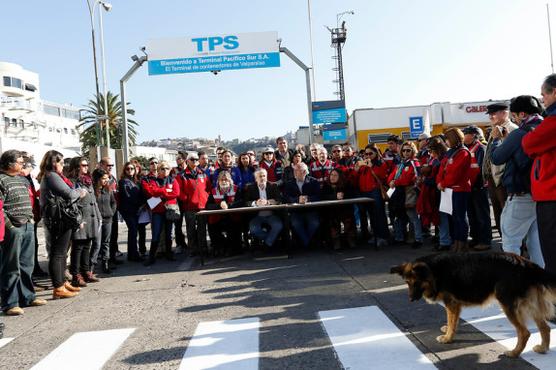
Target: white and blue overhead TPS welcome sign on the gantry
213	53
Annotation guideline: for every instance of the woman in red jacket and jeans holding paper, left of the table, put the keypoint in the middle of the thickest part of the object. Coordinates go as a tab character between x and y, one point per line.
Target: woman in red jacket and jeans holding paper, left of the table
167	191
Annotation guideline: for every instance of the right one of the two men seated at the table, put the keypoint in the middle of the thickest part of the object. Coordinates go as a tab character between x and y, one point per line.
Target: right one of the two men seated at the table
303	189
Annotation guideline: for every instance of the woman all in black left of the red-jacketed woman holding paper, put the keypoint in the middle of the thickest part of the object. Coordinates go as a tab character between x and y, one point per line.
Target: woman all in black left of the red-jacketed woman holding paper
131	200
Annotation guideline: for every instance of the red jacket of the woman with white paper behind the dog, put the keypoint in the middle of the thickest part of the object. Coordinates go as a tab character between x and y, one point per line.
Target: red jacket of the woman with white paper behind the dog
454	171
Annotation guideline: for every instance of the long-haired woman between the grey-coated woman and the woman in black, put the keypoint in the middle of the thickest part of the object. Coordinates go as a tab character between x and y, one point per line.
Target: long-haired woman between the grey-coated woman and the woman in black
107	206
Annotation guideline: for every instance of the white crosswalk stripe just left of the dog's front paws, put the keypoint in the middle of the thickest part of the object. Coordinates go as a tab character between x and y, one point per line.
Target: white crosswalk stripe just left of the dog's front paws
365	338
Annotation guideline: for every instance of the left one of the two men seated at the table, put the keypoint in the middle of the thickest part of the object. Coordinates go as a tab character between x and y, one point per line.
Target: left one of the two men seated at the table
265	226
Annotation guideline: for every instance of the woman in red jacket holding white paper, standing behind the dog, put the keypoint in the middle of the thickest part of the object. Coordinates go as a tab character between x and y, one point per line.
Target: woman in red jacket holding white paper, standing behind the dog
454	174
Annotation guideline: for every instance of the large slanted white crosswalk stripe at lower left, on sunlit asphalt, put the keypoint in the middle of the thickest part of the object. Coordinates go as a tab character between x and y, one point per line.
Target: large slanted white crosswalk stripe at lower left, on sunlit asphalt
100	346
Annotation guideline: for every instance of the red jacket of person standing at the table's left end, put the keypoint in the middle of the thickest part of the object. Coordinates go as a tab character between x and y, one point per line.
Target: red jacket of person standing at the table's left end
194	189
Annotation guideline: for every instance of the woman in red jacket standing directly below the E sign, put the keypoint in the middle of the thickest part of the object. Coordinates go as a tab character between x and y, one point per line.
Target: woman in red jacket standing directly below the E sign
404	176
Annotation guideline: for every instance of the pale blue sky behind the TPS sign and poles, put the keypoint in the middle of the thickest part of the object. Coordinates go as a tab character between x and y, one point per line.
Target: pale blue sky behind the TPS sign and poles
398	53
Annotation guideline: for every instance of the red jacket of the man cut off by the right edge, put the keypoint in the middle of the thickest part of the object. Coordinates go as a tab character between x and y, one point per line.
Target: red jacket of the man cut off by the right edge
540	144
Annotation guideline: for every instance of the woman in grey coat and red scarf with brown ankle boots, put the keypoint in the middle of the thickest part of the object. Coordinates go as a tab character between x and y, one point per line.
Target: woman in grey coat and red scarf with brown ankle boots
84	240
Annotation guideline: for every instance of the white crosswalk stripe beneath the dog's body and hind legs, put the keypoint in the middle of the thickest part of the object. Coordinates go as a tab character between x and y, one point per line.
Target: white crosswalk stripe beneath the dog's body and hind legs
493	322
